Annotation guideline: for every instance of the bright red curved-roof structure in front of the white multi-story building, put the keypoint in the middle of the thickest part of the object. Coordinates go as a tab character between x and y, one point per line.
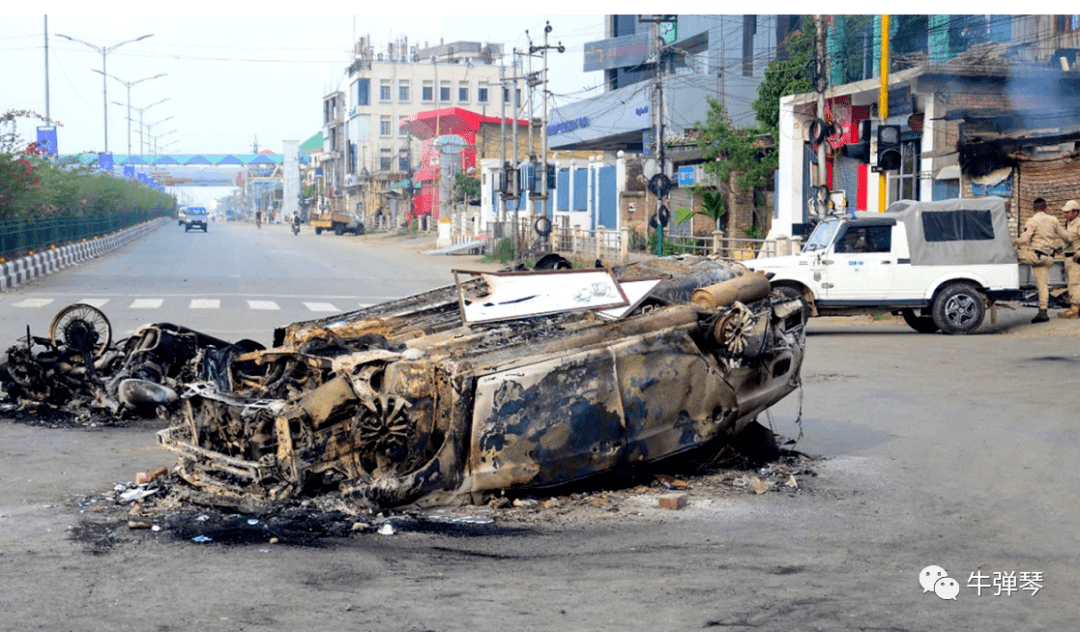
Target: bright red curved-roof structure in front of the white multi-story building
428	127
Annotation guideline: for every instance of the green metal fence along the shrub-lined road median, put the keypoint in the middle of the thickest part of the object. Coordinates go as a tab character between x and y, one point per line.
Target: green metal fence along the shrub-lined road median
21	236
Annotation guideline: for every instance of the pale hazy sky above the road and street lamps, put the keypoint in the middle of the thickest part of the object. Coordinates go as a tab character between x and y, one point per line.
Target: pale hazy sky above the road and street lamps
232	78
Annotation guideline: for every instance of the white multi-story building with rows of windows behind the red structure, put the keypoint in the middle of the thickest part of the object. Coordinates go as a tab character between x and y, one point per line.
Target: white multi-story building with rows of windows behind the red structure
369	146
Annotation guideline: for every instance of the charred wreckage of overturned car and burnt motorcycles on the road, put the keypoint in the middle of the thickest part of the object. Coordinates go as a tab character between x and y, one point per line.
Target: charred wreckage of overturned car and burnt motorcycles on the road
511	381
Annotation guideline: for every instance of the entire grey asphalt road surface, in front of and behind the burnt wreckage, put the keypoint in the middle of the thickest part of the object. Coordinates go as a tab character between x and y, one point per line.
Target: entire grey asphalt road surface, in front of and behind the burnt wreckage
955	452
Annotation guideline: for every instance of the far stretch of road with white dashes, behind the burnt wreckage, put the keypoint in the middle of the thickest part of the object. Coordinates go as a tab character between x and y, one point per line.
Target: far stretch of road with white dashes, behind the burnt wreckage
234	281
